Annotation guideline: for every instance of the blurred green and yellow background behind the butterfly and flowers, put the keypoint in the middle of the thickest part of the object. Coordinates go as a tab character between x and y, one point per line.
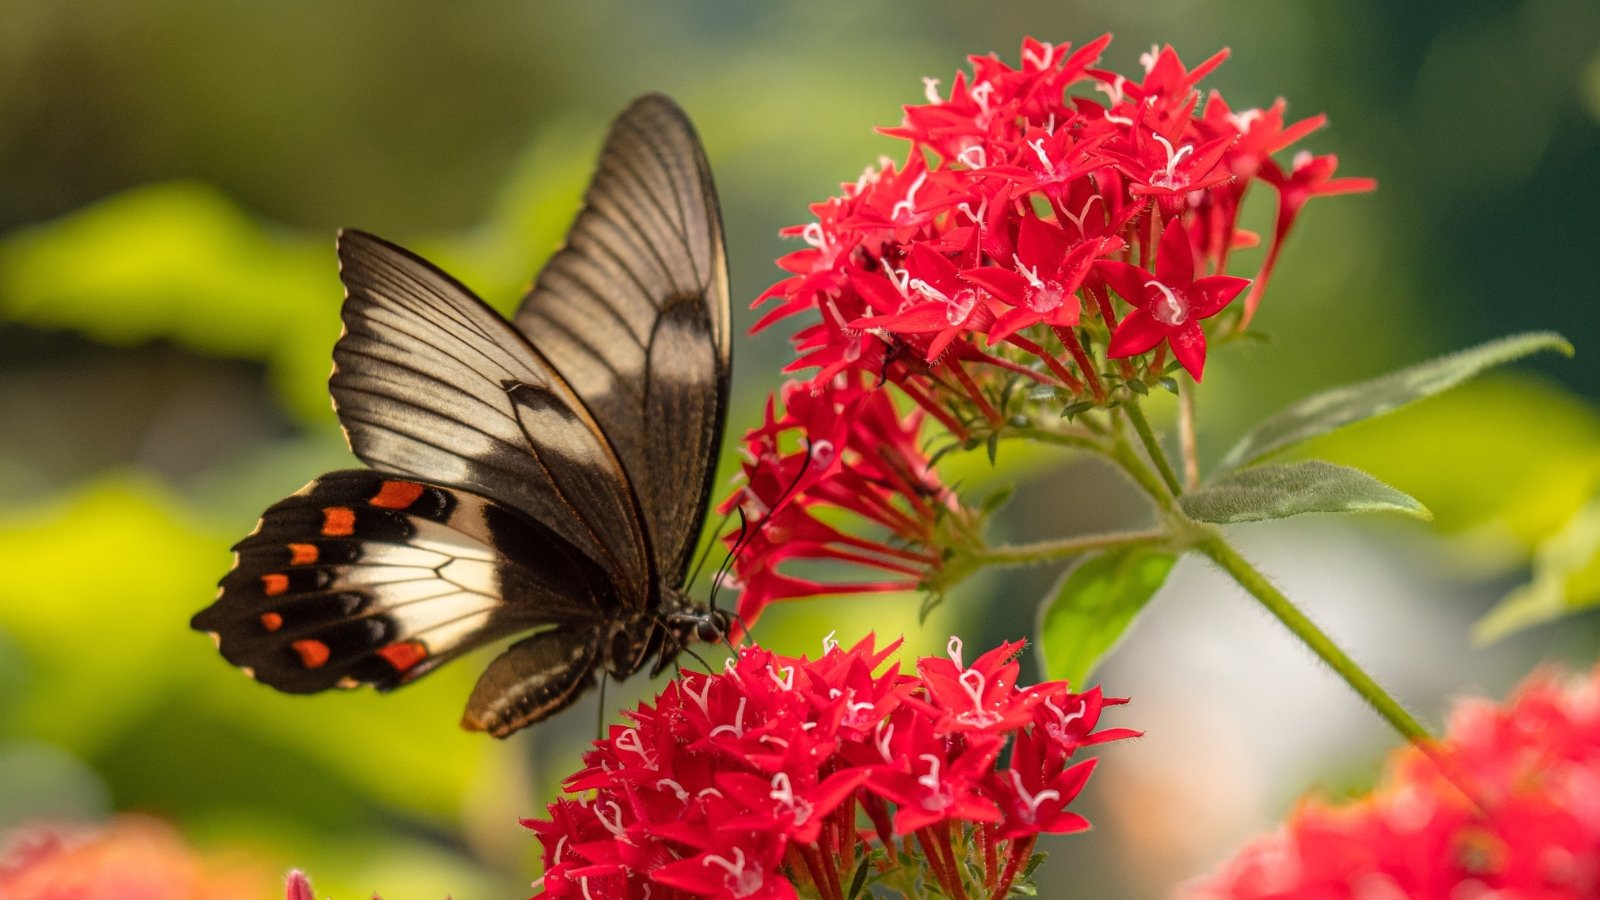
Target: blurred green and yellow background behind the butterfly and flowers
172	175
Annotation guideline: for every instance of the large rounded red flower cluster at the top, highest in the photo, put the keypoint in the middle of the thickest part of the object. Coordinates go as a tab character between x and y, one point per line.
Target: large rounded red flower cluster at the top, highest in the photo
1047	217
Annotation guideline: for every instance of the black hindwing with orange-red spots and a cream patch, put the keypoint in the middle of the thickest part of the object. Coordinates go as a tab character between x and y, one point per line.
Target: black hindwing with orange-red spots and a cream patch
372	579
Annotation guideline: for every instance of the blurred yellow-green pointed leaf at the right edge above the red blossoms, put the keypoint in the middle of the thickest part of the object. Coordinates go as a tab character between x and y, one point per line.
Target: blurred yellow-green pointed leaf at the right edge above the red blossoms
1566	581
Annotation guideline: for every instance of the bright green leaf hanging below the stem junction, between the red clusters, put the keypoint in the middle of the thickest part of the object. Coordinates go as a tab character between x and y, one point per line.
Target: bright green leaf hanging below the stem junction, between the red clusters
1094	605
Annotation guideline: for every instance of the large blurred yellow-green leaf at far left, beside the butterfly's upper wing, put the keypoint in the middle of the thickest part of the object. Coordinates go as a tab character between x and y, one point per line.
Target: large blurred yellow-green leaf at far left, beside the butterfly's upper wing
183	263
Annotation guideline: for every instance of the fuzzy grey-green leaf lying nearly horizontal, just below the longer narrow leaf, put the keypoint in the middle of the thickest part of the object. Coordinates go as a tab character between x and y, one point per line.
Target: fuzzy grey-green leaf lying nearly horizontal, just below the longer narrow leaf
1294	489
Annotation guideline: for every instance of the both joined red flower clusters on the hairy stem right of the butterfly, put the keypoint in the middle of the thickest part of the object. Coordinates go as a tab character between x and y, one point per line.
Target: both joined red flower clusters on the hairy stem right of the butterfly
1055	233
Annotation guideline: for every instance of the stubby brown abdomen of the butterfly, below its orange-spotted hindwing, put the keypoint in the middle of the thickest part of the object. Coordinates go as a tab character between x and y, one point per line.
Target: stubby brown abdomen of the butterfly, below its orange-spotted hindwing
534	680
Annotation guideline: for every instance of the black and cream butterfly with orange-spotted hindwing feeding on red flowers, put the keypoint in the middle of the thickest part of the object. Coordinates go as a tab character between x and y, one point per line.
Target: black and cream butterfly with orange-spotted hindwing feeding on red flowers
543	475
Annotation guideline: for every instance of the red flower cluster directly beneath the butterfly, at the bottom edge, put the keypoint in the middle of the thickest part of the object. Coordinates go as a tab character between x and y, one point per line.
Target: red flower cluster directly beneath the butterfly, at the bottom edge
783	773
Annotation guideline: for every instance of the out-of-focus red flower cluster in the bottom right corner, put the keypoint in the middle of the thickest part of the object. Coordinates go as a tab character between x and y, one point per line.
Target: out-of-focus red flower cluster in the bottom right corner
1518	818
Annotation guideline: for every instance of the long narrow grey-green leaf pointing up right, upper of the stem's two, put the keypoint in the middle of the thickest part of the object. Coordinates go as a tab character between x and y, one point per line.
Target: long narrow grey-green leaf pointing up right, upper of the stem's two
1335	409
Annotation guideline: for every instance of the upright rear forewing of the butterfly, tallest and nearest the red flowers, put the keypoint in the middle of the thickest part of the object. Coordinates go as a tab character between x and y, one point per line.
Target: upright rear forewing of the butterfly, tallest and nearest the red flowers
634	315
